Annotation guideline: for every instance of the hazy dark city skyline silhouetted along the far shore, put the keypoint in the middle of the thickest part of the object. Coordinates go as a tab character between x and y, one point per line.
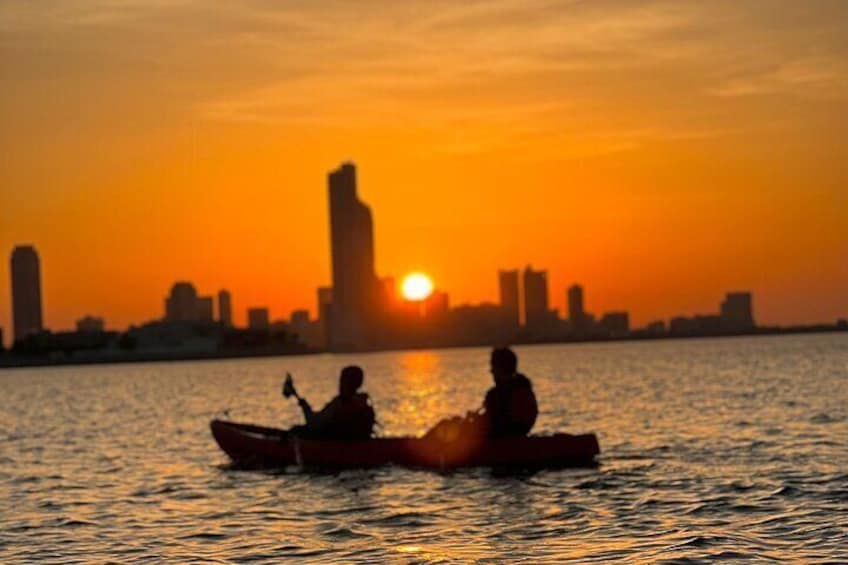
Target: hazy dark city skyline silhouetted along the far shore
370	313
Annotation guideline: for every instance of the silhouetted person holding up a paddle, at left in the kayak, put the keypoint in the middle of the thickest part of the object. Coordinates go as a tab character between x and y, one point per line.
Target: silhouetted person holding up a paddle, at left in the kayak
348	416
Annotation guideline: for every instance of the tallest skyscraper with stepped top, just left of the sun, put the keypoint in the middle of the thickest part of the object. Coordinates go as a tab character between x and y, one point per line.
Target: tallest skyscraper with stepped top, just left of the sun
355	284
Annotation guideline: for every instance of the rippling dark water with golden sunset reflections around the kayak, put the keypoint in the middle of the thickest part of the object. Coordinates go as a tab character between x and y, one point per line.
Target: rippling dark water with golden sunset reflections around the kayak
724	448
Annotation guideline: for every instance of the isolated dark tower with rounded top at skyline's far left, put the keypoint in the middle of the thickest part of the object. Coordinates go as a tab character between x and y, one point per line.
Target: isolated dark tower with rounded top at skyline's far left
26	292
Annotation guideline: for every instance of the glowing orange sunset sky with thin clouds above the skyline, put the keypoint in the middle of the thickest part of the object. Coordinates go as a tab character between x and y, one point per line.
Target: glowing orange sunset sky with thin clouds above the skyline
660	153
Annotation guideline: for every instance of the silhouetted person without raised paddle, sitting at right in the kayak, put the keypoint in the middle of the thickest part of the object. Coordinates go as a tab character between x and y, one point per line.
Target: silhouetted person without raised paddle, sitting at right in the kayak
510	407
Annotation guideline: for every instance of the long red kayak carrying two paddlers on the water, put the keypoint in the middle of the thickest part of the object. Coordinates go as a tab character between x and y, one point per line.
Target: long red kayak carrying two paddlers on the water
256	446
